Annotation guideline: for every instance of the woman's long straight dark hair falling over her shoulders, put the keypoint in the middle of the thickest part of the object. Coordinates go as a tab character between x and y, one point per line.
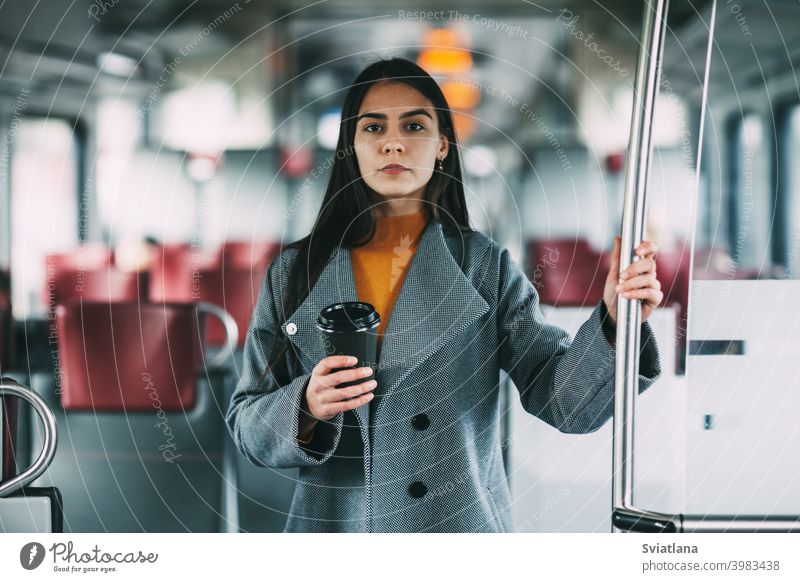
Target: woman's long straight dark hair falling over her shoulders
346	217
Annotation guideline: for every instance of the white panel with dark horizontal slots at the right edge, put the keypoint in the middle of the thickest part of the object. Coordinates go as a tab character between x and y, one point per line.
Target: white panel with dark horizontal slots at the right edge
742	417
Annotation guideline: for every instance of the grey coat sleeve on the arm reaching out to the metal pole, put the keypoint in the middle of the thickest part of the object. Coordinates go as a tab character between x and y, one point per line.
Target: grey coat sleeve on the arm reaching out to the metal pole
567	383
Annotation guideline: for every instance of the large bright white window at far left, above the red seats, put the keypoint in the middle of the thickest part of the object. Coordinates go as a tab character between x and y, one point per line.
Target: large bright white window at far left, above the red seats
44	195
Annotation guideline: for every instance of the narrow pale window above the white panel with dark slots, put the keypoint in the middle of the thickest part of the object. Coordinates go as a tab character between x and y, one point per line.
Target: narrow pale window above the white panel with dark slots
749	201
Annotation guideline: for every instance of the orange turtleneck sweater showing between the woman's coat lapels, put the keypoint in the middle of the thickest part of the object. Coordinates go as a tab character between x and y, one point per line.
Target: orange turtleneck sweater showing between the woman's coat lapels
380	266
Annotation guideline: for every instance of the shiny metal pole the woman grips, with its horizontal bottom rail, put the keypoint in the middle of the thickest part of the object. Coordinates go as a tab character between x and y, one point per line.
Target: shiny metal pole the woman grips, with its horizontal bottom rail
625	516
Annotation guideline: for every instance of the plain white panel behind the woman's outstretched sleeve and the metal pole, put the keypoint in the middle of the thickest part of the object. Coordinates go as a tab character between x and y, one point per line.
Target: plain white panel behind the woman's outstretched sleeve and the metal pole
562	482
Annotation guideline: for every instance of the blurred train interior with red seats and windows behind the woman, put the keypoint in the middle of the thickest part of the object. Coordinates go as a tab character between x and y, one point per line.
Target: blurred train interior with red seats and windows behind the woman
155	157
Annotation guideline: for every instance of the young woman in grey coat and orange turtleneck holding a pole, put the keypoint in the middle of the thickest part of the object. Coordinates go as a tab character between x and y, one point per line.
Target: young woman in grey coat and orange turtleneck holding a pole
416	448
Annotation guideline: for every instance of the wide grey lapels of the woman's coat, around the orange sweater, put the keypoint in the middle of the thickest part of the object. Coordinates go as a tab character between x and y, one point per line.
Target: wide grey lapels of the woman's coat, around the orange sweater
436	302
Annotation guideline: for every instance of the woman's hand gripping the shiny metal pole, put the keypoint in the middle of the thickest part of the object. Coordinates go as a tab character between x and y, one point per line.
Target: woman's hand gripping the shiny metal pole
638	281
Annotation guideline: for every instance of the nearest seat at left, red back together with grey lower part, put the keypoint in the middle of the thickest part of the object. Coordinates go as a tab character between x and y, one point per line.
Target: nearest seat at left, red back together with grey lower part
144	436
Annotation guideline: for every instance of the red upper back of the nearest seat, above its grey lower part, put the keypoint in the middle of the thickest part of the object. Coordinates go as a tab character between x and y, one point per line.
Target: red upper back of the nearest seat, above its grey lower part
114	355
